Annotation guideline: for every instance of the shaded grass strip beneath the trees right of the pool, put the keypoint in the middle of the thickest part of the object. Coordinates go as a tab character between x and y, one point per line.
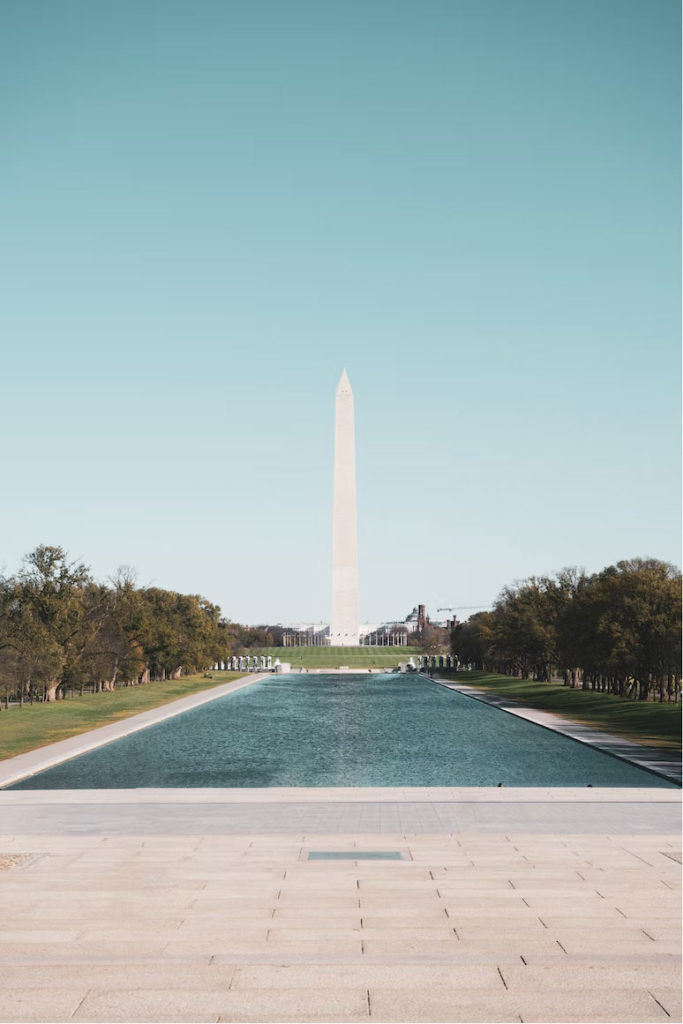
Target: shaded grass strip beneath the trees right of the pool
654	724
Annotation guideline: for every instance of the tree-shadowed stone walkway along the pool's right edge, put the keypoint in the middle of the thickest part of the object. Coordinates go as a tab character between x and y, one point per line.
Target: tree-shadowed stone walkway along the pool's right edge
656	760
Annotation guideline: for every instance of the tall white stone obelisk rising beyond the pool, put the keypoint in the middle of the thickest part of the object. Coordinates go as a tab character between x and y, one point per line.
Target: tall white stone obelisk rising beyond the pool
345	625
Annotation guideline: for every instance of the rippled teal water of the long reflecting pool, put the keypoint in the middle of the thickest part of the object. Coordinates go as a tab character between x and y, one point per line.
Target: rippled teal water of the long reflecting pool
356	731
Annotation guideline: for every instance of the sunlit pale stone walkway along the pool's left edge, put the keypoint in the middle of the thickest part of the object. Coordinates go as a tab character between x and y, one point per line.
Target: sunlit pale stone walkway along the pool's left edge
24	765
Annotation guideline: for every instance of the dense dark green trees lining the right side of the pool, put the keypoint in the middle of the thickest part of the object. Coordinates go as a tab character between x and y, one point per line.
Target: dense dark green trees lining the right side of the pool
618	631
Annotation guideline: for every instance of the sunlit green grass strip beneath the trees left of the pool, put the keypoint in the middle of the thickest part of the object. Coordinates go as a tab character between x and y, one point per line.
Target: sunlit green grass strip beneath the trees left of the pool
26	729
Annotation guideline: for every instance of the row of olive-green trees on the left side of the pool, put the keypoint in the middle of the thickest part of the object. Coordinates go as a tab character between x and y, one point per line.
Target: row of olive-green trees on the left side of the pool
62	632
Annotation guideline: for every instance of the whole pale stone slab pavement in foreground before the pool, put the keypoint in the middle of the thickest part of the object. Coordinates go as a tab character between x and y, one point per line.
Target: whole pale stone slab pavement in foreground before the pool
110	920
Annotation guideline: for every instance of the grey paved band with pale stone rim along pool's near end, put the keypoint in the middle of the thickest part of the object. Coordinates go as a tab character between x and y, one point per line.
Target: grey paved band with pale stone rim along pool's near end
354	812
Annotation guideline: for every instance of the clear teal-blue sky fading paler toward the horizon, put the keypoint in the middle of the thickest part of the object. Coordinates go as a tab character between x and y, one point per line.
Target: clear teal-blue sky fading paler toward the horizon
209	208
